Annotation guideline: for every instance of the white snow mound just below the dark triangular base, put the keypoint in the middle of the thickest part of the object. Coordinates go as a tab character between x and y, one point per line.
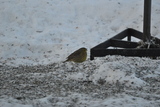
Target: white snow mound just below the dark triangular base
116	72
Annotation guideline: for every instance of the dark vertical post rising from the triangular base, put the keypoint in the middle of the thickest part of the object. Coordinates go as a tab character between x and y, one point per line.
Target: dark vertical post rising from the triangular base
147	21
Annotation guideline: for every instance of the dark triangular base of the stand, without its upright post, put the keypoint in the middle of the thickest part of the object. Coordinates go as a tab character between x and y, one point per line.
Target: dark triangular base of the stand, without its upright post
127	48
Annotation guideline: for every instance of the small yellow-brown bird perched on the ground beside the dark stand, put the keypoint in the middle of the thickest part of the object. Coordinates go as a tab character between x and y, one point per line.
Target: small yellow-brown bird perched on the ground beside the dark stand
78	56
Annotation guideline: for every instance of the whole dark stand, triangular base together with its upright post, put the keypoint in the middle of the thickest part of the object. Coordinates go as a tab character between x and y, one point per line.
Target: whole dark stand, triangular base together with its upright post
129	48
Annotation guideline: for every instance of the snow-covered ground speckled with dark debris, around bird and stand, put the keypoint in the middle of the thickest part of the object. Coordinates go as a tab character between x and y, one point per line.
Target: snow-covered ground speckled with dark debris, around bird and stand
37	35
